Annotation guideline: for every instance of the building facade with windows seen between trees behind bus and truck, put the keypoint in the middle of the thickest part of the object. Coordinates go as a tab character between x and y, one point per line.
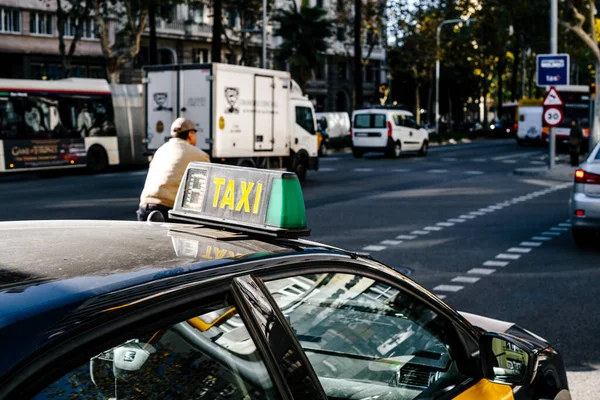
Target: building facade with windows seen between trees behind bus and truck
30	48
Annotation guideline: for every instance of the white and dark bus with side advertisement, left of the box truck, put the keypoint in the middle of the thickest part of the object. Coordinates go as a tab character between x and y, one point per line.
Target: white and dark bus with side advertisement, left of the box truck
70	123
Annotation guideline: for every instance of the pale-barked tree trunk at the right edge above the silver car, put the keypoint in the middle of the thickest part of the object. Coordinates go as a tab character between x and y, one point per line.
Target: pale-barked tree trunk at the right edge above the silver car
585	29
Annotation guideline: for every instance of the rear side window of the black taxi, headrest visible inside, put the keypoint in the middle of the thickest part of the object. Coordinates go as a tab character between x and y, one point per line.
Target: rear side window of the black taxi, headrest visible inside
211	356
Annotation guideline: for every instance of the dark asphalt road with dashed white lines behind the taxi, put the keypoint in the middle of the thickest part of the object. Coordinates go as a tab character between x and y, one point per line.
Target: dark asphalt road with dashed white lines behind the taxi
465	226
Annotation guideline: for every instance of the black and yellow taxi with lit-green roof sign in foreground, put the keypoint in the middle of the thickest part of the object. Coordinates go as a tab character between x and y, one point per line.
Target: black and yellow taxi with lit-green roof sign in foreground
233	303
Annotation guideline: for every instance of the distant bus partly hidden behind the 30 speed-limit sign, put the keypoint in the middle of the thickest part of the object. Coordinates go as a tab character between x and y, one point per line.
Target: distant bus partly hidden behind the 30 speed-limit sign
578	104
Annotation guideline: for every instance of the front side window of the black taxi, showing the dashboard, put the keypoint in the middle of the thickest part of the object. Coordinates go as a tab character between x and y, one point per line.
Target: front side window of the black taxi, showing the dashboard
365	338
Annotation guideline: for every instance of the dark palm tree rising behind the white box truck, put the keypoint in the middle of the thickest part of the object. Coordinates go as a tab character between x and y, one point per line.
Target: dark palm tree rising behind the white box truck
304	32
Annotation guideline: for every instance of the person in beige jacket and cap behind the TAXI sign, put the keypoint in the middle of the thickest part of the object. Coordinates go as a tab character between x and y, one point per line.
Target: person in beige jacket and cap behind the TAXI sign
167	169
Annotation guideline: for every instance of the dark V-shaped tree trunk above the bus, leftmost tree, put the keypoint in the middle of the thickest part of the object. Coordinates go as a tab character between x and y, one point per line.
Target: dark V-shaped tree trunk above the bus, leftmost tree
77	11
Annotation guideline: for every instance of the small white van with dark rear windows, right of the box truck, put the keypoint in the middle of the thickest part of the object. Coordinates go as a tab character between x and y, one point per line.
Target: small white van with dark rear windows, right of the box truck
387	131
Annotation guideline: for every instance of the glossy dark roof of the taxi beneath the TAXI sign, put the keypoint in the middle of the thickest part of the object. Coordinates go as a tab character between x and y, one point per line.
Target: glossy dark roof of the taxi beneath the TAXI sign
54	271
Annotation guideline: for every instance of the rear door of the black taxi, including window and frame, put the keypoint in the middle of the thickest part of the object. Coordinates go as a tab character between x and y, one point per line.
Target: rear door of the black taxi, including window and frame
222	342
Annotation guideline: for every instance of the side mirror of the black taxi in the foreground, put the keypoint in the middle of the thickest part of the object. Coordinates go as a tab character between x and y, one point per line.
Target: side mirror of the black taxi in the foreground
507	360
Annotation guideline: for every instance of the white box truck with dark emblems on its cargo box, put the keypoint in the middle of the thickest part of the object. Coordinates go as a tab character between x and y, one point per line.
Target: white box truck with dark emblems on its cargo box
244	116
